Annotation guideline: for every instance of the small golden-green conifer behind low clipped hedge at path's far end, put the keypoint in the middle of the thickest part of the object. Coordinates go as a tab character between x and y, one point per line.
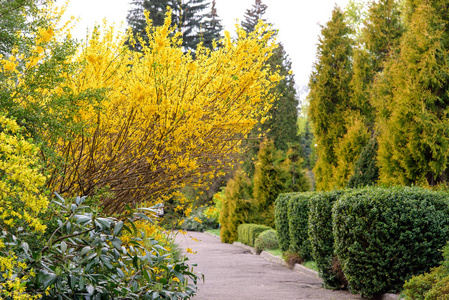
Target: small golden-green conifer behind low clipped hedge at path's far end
236	206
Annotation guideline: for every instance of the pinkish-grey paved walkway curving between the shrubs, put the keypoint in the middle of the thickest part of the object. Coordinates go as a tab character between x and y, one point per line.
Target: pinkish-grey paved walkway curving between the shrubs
233	273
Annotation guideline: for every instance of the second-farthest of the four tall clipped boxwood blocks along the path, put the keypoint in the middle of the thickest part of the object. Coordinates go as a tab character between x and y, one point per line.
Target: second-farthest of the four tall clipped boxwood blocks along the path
298	218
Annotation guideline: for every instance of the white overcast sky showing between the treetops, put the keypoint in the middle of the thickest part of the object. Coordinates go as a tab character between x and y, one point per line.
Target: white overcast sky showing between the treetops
297	20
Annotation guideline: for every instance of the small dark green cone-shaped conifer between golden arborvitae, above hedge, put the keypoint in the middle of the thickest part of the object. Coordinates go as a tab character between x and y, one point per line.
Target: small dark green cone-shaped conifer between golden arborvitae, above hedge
366	171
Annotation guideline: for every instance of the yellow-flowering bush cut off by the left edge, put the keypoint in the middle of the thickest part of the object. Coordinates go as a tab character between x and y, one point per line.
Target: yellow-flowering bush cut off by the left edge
20	201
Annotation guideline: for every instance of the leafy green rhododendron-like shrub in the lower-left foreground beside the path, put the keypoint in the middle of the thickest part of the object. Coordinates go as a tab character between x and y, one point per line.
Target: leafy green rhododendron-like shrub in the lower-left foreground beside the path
87	256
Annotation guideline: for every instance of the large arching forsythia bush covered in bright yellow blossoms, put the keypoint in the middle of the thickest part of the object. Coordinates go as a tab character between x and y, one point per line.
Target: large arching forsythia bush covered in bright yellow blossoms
166	119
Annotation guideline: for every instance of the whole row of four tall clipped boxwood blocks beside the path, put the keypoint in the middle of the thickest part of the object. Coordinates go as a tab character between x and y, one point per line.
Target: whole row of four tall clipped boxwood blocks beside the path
382	236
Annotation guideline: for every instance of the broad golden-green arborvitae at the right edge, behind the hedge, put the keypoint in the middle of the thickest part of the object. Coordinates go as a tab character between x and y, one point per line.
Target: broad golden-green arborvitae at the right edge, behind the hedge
413	119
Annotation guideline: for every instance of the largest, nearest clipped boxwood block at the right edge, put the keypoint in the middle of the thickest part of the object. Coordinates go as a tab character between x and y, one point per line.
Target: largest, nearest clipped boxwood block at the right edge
384	236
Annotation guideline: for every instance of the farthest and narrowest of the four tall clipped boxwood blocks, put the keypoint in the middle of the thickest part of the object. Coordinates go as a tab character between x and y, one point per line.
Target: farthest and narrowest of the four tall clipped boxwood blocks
281	215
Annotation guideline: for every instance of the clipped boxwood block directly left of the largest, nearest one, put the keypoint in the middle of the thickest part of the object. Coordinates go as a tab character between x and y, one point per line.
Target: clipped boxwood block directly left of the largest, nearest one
322	238
